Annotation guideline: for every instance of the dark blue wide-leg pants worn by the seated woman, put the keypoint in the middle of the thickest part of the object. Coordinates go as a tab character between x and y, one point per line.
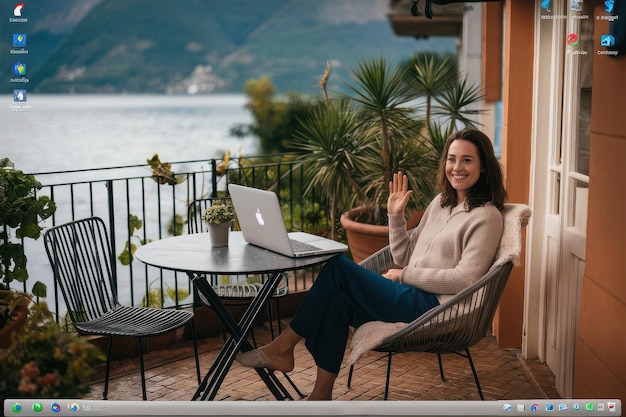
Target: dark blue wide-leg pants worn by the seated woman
344	295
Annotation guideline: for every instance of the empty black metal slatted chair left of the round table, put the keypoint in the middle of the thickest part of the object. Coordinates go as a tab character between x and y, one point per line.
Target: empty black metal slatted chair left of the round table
84	268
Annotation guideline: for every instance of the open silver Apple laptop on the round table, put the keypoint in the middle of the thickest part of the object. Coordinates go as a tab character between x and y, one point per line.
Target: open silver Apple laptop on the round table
262	224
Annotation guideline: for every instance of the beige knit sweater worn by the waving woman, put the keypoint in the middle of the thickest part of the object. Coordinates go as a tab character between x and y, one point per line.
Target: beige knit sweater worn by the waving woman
449	250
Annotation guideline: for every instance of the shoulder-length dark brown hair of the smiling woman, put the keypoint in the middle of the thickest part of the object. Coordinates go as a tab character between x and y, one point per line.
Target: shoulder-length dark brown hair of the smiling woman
490	186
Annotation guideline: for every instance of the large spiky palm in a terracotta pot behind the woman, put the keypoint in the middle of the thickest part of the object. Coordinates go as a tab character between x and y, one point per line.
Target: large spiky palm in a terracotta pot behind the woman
397	118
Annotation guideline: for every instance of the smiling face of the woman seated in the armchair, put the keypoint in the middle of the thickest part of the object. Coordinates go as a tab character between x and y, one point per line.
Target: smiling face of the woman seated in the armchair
463	167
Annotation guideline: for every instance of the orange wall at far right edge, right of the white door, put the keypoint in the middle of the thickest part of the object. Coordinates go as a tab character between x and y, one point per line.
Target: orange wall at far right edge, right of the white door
600	363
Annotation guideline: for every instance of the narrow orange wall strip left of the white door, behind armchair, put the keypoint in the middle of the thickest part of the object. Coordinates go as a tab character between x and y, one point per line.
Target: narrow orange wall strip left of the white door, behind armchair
516	149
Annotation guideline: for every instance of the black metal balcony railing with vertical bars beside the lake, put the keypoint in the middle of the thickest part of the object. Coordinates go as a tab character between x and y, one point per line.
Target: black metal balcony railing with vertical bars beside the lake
138	207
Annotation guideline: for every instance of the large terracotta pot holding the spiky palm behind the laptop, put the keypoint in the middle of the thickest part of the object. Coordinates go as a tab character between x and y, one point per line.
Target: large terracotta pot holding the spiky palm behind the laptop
365	239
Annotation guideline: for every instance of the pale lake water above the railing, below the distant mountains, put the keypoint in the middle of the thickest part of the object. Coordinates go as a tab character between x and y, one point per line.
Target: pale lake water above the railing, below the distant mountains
69	132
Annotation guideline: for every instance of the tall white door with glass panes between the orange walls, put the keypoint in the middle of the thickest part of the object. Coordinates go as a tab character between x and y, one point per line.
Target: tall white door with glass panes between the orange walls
560	181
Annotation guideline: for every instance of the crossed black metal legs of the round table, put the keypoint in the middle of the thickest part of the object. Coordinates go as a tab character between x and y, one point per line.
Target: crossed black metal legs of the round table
237	341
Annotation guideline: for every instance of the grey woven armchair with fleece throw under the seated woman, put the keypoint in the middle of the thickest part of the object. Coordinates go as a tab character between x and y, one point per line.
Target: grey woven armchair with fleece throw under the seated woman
454	326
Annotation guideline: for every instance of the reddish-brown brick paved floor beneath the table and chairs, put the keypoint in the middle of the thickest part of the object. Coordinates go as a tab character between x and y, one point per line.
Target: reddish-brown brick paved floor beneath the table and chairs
171	375
